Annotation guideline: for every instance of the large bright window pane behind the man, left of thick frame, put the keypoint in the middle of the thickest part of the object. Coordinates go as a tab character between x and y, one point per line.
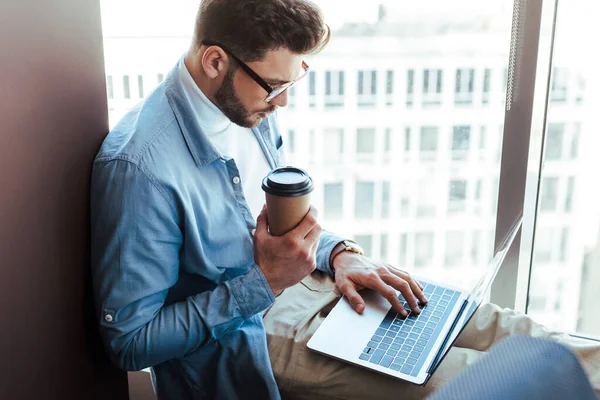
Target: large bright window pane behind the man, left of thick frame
409	187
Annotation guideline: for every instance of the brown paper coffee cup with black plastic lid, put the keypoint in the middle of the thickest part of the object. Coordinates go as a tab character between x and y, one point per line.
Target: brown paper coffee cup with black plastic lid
288	194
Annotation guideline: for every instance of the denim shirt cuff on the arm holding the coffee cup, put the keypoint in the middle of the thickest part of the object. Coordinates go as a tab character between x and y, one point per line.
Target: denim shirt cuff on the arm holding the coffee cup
252	292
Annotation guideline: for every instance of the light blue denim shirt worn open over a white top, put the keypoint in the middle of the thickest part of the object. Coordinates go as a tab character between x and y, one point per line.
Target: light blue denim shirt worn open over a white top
175	282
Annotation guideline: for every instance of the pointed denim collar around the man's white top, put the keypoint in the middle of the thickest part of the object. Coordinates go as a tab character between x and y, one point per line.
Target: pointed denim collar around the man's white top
202	150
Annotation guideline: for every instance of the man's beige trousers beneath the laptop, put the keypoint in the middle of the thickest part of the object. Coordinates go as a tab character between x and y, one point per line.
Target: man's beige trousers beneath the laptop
303	374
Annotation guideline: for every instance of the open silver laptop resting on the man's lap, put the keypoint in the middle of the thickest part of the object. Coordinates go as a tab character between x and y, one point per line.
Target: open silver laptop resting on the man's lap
408	348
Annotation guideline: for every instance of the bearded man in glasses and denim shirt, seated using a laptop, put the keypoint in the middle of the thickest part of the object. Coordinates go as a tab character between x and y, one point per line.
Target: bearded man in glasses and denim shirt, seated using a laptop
183	274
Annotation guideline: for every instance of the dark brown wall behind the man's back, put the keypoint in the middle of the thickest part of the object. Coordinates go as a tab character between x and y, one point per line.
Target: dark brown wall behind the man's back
53	118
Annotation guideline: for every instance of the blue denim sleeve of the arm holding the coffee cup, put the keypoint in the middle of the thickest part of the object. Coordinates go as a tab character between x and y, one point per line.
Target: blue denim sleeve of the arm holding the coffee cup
136	240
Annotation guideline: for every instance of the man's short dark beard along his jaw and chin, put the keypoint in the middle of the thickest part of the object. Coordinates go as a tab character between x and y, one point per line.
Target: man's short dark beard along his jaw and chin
230	104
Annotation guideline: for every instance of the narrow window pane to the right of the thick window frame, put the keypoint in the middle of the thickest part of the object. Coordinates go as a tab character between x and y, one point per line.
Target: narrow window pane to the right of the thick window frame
565	276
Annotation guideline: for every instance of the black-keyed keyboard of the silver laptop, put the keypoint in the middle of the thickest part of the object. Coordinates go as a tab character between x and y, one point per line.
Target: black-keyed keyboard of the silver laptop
403	344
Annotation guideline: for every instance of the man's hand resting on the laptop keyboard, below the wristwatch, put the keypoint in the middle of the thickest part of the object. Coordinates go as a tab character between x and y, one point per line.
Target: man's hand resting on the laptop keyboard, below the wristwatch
354	272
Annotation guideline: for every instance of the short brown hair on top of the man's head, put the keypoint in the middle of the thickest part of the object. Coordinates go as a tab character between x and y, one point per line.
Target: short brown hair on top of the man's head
250	28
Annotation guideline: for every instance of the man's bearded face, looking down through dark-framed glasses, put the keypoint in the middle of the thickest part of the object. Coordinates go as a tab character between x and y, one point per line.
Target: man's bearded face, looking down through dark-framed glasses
241	99
